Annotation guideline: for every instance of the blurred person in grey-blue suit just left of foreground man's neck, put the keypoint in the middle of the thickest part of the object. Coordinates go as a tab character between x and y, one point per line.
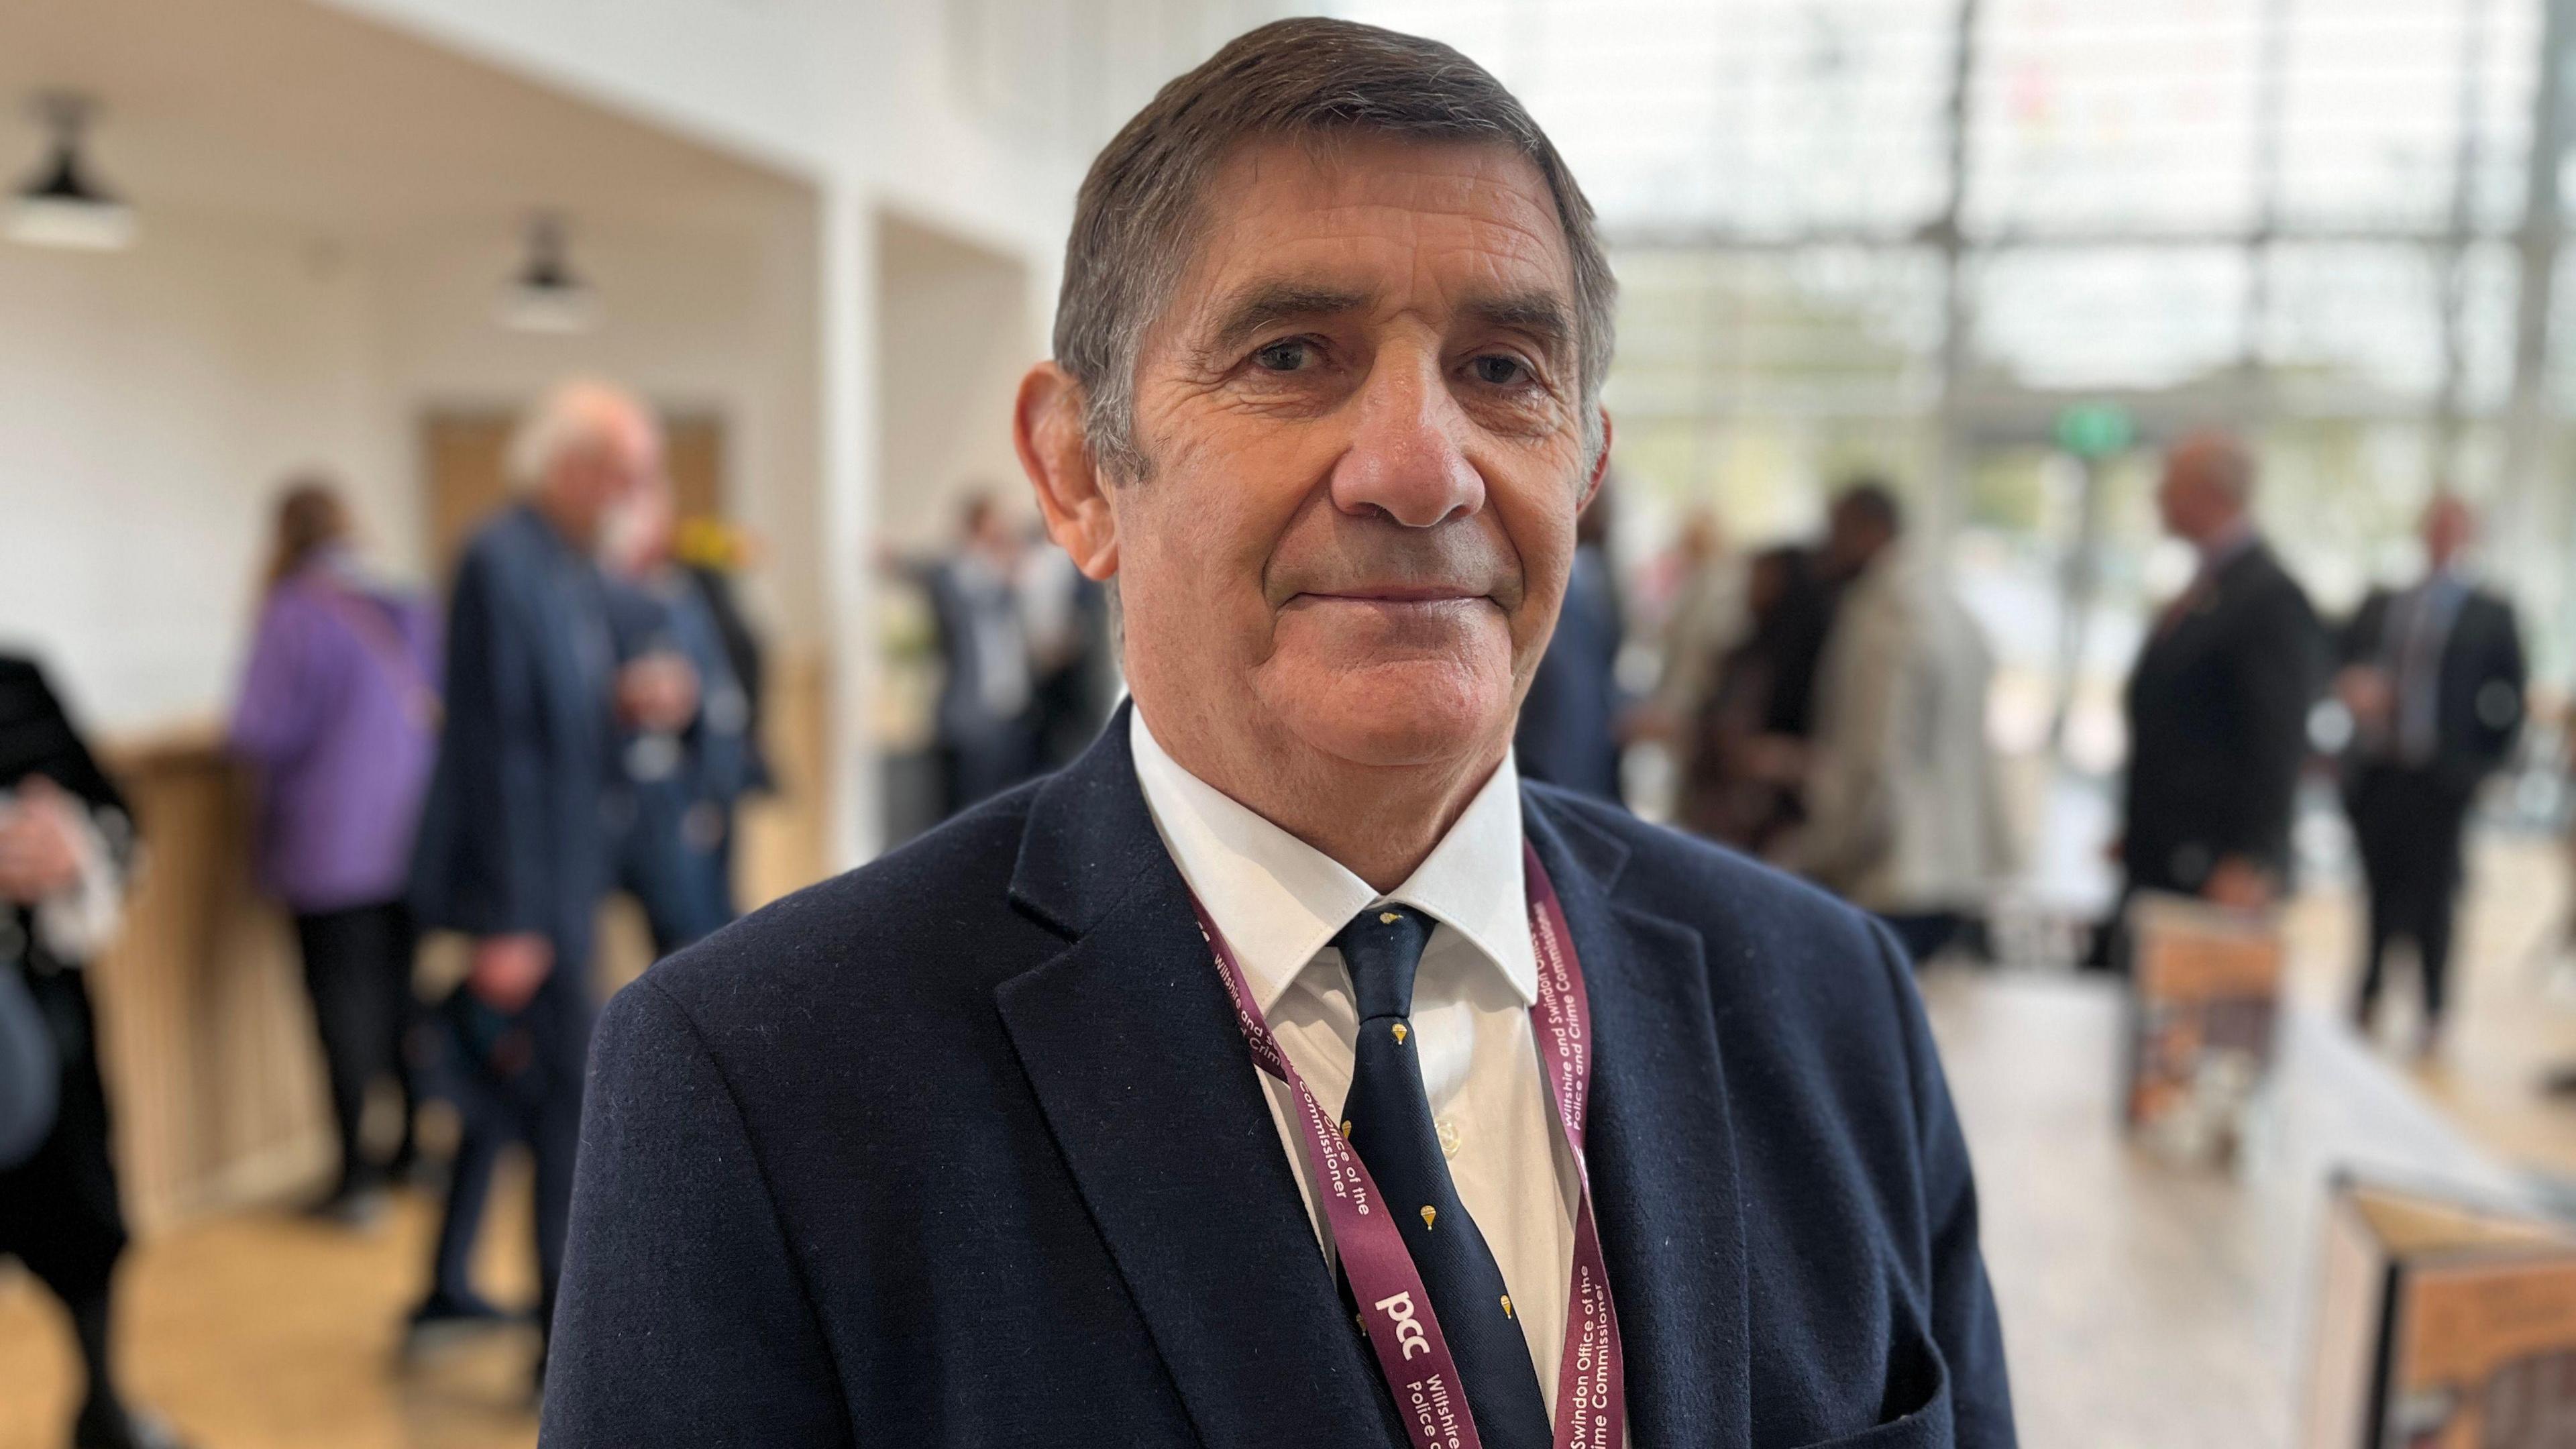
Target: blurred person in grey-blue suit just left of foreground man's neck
985	726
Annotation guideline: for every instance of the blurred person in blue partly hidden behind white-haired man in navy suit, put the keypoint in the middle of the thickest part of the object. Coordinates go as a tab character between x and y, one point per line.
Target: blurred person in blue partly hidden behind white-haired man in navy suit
684	783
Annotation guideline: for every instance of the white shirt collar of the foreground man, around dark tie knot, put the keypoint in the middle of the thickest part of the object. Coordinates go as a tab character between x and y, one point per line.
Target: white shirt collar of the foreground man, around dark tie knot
1282	901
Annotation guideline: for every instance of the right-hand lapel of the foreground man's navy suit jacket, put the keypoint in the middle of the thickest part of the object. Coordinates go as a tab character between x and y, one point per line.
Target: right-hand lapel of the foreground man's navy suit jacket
1660	1149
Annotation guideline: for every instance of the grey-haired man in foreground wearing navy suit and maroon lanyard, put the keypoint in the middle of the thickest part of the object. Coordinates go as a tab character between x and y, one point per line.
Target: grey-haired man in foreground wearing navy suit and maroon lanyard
1287	1071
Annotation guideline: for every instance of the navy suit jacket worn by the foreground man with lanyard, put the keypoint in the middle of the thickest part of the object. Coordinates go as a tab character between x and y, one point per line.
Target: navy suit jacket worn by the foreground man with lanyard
965	1149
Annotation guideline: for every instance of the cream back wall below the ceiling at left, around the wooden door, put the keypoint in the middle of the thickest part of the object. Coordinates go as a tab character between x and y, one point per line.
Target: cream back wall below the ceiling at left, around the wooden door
153	401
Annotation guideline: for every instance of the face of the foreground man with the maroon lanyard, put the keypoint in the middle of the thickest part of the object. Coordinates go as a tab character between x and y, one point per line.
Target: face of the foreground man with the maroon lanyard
1367	452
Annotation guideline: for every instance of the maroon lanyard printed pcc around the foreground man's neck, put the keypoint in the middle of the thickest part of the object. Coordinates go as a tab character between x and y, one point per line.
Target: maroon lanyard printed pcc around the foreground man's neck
1395	1308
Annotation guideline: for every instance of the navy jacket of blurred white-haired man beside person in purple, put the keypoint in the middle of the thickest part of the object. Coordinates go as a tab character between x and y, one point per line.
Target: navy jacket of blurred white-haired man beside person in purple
514	831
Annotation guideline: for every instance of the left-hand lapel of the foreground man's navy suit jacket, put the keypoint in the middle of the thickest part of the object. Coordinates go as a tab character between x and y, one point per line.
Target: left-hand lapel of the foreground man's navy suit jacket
1153	1100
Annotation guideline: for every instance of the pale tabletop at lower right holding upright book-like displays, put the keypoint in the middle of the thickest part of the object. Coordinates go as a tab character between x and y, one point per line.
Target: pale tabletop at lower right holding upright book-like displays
2147	1303
